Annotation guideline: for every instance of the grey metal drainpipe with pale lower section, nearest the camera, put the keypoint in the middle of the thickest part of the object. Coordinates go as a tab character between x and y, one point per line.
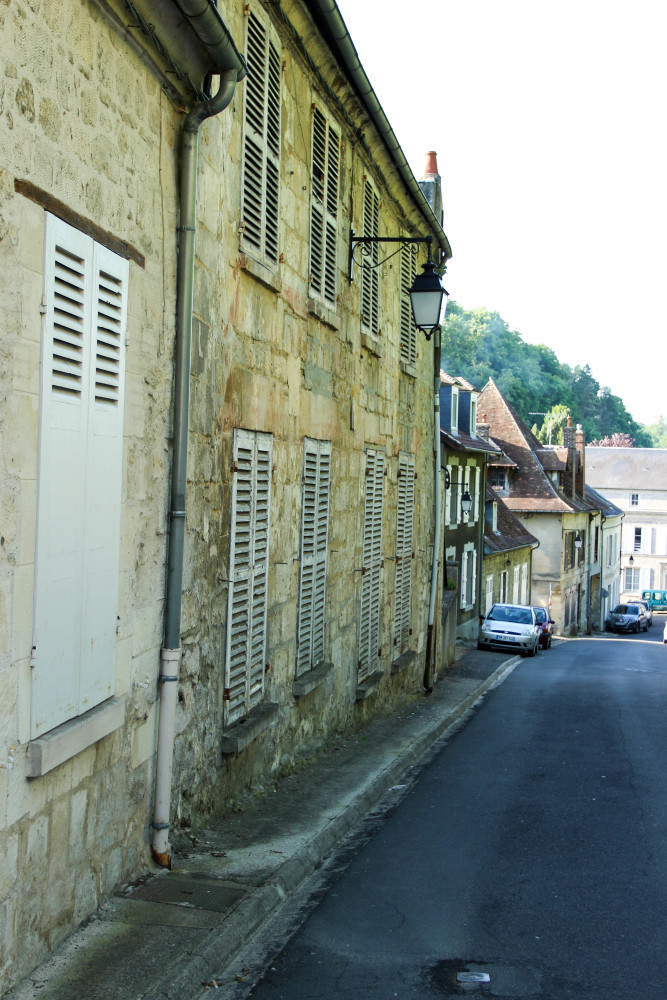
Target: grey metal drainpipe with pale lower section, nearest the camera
171	652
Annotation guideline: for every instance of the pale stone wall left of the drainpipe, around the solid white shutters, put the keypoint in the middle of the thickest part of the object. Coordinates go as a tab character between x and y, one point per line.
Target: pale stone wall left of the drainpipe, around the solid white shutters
84	121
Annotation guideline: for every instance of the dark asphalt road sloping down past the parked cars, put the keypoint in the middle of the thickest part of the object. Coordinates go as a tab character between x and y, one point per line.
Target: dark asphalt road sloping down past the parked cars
531	850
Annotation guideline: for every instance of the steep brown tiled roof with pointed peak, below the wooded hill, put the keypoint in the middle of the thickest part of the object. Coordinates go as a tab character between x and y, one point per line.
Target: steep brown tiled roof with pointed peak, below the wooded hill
530	487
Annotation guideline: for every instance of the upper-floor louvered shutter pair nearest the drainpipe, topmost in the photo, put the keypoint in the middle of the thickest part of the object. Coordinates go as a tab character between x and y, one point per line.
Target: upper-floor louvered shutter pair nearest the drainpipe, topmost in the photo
261	143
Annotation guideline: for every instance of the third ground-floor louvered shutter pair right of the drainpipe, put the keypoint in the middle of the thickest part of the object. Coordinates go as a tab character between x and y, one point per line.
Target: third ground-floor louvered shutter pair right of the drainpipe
369	631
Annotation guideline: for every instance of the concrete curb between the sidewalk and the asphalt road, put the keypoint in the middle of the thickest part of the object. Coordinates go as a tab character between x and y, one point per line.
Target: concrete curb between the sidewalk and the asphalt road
224	943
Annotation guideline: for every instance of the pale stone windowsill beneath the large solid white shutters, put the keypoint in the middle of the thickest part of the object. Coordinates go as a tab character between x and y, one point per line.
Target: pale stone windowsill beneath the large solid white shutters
71	738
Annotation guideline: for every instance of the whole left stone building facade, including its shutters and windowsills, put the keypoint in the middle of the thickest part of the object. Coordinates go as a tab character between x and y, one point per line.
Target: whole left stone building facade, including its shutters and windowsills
307	513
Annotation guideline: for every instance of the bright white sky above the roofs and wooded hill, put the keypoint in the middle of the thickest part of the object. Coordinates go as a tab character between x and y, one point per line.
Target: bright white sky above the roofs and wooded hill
549	123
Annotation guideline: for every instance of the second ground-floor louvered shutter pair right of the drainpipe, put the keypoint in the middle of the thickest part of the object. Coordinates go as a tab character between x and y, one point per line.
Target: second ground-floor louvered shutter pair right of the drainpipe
314	535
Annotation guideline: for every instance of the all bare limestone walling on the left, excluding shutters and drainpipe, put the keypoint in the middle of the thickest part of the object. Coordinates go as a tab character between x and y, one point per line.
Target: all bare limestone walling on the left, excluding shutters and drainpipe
82	119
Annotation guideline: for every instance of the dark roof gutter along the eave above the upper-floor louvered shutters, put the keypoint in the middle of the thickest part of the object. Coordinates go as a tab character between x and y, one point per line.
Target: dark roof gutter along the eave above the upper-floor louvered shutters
327	12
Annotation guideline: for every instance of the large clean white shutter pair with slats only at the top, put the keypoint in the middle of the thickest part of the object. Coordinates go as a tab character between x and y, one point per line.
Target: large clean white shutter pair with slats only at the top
79	477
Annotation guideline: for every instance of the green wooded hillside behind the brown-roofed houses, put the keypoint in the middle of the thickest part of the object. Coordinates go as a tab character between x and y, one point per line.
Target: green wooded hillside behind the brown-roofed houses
479	345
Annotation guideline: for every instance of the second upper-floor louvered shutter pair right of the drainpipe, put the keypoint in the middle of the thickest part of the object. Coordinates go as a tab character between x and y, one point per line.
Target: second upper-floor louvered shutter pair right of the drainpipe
324	209
